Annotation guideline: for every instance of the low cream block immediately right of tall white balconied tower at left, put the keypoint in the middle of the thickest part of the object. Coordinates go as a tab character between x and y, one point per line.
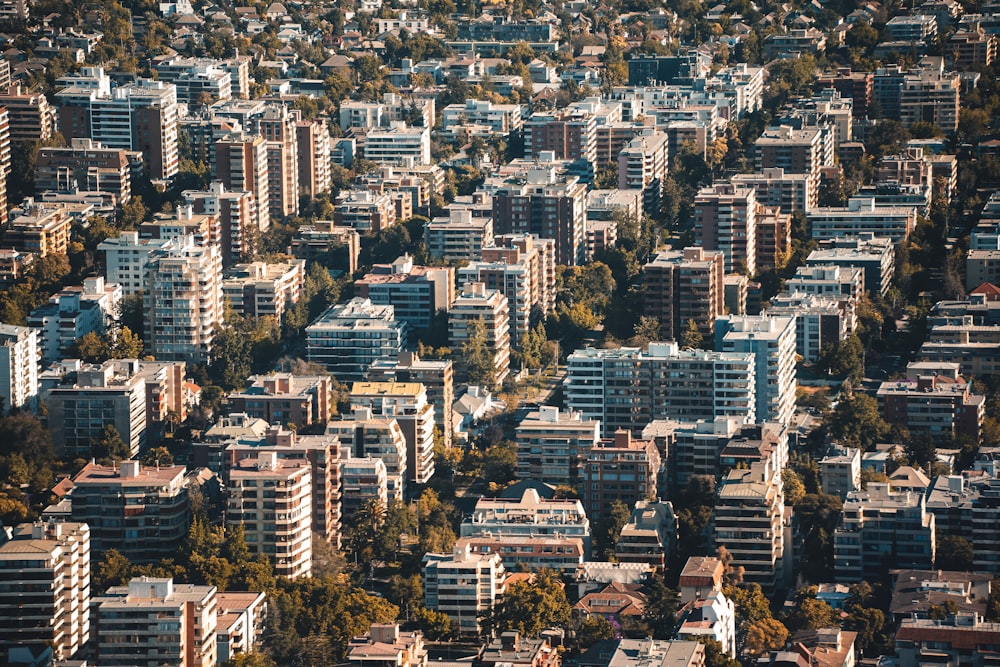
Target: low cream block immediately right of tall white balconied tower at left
260	289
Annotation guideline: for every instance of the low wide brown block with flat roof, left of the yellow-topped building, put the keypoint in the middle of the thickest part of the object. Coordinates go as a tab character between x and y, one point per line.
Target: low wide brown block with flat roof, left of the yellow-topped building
284	398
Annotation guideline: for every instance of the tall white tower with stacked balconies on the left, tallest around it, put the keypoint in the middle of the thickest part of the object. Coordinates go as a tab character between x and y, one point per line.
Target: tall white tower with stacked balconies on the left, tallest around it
183	304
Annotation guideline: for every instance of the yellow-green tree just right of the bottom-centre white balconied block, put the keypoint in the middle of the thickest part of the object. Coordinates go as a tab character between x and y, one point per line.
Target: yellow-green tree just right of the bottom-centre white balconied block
531	606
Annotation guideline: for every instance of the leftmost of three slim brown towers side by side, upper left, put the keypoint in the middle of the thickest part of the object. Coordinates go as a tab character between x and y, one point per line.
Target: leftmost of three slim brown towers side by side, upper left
241	165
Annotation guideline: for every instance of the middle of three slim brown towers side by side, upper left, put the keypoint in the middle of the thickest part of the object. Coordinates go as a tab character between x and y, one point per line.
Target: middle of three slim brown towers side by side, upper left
277	125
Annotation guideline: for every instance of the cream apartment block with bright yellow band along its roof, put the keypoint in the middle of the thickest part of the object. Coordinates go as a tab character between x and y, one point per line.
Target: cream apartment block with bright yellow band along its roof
406	402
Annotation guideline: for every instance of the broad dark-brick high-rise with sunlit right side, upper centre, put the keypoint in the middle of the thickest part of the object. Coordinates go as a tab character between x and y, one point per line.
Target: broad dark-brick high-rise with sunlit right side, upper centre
545	204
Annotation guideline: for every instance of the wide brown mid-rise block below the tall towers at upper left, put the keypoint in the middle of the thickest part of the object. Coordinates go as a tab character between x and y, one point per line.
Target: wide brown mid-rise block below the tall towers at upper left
87	166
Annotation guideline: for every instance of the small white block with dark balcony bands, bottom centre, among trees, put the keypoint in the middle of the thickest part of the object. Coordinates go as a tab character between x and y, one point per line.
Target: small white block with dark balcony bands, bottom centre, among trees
463	585
